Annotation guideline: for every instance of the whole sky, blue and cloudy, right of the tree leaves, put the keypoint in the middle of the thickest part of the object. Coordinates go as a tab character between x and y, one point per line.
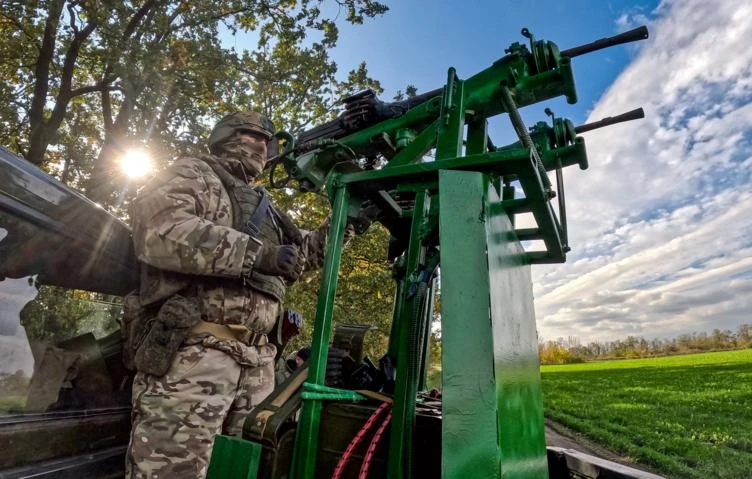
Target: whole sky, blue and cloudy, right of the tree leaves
660	224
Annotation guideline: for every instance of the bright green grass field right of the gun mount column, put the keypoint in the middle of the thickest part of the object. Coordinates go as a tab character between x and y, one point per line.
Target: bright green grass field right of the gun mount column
686	416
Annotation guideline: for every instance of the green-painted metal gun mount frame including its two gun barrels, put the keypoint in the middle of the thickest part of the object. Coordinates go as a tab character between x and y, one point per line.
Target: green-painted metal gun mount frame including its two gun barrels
492	401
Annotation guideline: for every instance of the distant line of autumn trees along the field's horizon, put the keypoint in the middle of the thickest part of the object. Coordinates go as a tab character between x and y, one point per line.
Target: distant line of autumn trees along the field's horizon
570	350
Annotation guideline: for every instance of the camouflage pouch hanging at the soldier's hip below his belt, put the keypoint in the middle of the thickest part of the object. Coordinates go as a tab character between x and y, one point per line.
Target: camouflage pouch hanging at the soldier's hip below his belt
156	340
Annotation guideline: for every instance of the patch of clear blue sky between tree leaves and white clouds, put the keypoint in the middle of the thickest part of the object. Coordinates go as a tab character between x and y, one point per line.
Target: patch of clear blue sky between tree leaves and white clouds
415	43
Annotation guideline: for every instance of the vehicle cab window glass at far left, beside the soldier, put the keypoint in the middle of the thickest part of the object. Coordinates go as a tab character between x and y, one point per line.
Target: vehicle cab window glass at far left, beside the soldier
59	348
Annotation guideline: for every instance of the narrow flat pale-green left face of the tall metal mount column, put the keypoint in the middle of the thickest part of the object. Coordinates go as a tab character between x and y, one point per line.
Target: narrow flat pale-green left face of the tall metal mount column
469	406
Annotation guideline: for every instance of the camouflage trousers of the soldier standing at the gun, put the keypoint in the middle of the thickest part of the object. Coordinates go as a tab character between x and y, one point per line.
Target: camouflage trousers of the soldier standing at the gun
207	391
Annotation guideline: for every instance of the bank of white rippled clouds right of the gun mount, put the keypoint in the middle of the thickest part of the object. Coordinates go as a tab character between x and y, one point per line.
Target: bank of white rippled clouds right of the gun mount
660	224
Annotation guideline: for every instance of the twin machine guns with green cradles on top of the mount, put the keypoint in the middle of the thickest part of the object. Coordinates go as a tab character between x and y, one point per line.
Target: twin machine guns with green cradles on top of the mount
372	136
